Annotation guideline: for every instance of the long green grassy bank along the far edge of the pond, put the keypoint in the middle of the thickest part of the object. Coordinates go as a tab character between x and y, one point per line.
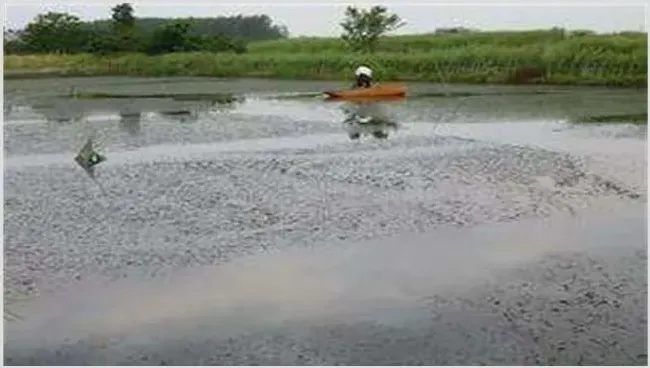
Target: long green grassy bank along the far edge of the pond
553	57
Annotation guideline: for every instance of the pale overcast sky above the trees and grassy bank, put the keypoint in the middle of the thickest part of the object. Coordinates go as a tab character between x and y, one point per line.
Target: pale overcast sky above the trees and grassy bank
322	19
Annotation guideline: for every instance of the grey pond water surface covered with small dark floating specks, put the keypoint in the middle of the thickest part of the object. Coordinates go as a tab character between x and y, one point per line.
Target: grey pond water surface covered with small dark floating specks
464	225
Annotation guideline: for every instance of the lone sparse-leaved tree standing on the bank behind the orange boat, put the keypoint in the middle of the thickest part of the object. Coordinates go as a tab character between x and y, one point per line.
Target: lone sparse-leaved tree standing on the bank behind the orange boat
362	28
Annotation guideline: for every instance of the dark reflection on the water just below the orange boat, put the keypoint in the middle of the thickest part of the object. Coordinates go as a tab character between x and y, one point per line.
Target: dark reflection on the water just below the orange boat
368	118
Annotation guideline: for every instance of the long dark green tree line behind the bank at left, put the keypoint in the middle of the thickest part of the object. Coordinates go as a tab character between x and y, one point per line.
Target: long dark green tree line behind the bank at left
54	32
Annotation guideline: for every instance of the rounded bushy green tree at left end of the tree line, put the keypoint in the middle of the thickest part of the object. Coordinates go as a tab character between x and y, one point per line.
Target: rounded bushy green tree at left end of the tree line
55	32
